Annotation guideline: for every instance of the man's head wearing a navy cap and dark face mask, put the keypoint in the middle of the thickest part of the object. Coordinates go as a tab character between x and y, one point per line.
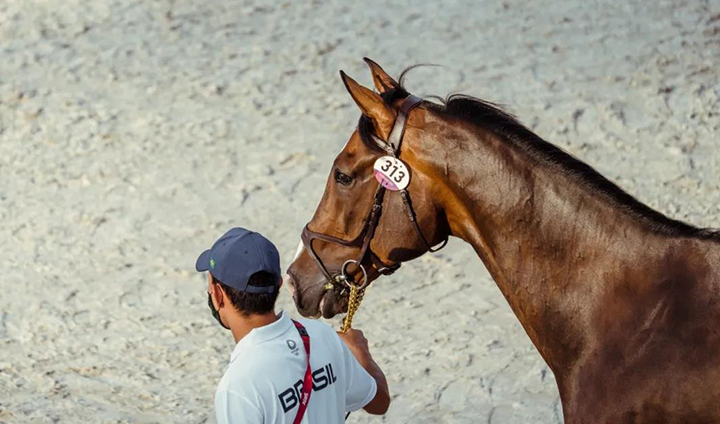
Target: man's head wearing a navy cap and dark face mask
243	273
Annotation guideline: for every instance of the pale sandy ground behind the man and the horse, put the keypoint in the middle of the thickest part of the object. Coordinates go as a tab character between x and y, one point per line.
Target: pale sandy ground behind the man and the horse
133	133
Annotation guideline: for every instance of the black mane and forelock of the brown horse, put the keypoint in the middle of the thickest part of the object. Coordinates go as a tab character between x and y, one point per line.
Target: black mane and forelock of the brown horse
492	117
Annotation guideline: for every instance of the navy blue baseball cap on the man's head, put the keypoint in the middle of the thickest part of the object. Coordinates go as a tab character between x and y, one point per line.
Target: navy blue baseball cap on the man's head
239	254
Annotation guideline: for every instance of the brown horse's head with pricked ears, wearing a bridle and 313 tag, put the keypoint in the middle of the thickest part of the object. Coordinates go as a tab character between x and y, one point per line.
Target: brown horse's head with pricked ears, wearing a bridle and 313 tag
361	230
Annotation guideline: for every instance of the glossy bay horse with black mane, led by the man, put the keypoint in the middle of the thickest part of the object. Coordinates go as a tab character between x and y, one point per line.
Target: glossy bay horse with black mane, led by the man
622	302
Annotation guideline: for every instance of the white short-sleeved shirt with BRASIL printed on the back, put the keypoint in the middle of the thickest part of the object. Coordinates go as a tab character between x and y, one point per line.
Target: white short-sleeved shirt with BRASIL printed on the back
263	382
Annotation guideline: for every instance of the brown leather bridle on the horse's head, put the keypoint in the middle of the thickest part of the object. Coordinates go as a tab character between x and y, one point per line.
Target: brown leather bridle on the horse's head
363	240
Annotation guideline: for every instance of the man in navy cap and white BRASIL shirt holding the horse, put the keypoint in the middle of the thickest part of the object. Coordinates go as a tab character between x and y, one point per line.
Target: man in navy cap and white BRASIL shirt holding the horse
268	374
